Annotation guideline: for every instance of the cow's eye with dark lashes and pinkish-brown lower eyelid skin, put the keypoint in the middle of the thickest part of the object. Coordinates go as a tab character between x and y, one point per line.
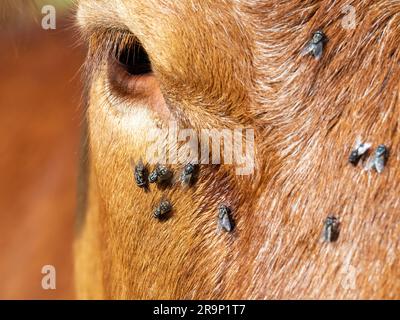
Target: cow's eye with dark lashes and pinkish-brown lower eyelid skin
130	81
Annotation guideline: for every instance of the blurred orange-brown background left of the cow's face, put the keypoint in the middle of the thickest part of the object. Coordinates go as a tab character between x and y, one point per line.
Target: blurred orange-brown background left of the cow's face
40	116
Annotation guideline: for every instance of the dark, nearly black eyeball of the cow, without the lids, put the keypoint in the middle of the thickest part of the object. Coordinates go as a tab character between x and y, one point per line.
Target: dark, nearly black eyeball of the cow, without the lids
134	59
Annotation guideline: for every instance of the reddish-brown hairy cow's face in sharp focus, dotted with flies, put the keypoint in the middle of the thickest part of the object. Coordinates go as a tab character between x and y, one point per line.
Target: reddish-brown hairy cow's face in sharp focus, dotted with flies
317	81
